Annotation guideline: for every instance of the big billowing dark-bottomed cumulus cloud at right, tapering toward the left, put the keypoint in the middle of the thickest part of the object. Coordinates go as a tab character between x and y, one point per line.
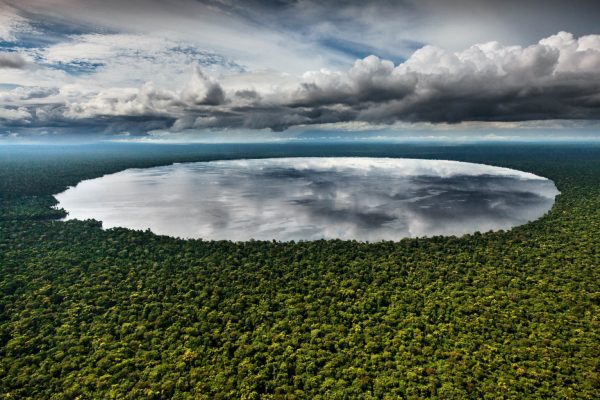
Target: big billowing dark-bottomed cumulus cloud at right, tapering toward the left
557	78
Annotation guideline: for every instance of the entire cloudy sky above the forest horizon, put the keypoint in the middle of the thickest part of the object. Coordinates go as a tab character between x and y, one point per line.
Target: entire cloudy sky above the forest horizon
191	70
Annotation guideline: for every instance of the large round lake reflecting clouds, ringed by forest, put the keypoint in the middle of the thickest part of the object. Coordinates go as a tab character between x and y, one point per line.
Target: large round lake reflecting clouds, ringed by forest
367	199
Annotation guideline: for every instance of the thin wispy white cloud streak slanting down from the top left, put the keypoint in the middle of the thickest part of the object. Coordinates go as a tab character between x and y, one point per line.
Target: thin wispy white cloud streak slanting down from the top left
205	25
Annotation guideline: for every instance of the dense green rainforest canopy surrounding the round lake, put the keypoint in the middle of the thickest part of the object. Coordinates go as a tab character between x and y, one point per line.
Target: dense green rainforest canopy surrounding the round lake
87	313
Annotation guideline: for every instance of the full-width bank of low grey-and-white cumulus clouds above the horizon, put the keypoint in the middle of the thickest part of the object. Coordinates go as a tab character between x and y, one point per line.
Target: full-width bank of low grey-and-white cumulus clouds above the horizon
557	78
